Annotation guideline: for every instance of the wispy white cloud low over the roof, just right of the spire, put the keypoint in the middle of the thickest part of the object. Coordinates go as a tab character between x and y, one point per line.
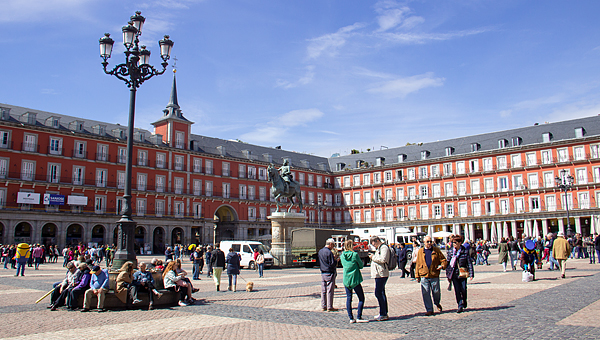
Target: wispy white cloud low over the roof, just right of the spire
277	128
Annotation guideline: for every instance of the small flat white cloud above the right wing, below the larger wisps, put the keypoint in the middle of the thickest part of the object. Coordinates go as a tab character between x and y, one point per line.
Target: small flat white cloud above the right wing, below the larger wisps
403	86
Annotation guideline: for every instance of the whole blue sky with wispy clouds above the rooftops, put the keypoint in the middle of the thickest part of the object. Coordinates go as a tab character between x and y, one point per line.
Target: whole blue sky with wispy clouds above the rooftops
315	76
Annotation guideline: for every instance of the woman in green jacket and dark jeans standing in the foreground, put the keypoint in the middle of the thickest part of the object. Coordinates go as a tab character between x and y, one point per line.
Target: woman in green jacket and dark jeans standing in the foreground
352	278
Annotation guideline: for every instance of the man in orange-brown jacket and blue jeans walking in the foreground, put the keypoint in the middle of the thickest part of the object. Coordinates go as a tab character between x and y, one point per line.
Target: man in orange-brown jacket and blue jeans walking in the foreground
430	260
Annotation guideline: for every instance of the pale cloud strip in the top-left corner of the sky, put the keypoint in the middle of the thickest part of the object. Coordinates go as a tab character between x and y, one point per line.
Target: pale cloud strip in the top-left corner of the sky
29	11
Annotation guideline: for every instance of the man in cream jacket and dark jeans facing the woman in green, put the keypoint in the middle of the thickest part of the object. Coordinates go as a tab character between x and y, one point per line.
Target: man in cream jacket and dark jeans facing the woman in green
380	272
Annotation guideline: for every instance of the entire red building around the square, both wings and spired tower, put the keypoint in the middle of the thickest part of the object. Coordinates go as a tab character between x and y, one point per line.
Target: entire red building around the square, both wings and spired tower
62	180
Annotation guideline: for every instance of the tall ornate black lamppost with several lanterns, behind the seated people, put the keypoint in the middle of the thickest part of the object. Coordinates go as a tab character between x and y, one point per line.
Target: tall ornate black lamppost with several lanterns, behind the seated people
133	72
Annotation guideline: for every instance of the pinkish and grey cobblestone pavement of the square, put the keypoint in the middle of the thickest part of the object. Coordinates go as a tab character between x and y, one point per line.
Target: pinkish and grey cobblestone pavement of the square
286	304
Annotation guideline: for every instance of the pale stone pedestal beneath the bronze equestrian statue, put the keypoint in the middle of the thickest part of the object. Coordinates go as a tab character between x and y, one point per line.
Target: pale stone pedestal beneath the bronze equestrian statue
282	224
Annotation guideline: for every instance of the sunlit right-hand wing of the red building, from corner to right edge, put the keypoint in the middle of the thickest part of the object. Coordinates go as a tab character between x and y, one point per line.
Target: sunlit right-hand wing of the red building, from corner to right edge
486	186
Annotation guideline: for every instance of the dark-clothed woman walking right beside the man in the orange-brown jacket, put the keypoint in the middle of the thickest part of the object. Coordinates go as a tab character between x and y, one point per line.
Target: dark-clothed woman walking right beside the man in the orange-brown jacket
459	258
